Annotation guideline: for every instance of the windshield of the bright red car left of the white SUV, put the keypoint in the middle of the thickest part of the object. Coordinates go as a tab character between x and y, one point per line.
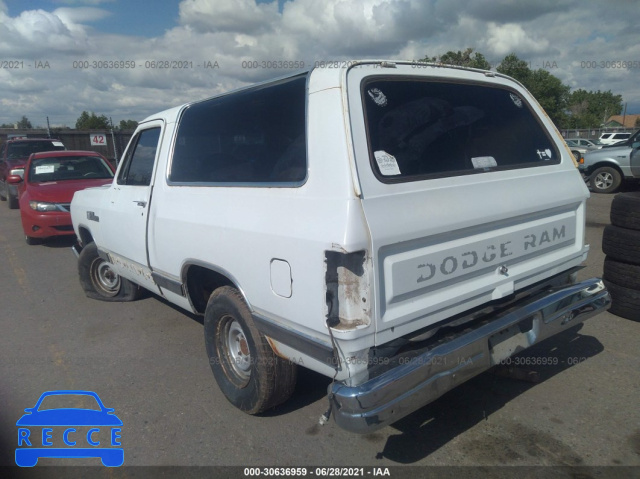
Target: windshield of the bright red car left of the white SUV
61	168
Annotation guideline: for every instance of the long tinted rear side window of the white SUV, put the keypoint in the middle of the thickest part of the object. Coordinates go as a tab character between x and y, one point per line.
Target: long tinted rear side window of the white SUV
254	136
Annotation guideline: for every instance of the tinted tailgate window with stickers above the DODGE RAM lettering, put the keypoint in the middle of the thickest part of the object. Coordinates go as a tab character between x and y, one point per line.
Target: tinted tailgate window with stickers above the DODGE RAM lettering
418	129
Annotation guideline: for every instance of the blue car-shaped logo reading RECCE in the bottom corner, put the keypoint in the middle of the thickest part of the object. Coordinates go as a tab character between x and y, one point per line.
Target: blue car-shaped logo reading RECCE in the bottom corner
55	428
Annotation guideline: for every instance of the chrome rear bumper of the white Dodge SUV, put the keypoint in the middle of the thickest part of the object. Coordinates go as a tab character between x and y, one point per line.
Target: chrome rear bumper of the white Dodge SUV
415	383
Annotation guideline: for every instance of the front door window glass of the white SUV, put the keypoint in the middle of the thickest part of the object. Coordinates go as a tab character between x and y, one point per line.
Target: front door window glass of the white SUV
138	164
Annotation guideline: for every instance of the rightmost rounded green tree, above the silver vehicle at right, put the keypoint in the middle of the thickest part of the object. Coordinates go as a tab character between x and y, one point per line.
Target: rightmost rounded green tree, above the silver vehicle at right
591	109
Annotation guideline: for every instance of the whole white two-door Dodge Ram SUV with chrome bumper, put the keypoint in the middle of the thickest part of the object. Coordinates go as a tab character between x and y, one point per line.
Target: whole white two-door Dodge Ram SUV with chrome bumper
381	223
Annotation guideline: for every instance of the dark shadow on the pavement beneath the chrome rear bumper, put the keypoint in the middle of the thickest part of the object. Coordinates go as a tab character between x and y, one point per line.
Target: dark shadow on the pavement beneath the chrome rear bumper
428	429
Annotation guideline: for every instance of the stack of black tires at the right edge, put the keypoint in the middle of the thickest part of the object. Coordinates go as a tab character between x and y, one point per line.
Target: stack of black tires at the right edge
621	244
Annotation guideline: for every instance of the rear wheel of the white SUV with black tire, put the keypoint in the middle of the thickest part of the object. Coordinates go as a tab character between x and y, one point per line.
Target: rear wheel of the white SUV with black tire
250	375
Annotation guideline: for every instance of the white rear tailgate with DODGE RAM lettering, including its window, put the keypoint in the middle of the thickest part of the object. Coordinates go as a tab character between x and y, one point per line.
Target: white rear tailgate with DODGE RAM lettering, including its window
466	195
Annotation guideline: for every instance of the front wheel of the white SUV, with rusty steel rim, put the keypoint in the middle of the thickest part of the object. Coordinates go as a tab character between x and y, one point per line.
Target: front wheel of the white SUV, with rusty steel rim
100	282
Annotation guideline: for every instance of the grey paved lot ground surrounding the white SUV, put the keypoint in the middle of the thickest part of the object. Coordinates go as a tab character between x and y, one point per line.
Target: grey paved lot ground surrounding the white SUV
147	360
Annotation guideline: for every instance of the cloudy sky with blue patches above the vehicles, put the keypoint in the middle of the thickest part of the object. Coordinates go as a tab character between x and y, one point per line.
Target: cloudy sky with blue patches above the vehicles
58	55
